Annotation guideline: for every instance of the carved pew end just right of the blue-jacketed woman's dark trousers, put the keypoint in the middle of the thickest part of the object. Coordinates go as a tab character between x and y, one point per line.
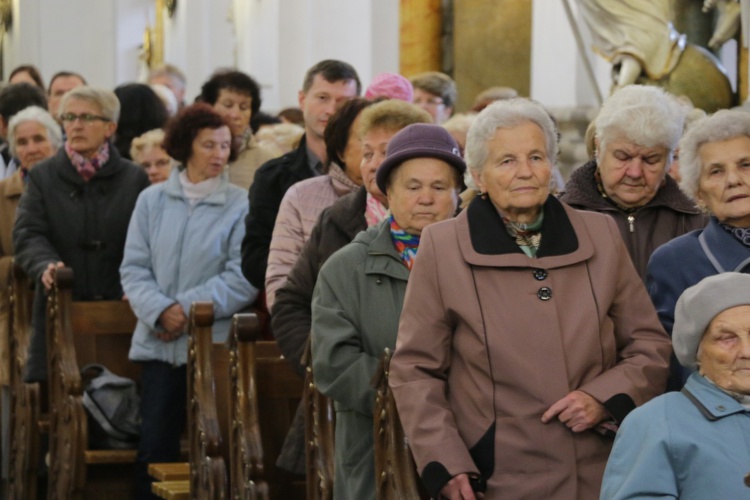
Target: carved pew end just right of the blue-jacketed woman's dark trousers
208	472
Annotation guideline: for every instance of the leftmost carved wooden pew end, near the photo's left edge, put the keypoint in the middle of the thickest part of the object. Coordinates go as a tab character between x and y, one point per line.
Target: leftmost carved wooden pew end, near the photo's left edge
23	442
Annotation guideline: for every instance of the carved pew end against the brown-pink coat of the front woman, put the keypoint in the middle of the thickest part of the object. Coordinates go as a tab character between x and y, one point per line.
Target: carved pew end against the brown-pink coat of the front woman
395	471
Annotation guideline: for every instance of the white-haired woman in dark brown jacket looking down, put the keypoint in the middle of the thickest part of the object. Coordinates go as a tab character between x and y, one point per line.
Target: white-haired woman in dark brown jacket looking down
637	131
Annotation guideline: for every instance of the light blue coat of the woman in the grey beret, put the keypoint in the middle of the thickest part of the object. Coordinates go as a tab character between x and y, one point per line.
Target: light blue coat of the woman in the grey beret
672	447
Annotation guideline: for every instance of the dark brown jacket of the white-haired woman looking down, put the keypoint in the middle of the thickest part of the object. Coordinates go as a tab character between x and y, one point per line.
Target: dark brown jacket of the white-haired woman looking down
668	215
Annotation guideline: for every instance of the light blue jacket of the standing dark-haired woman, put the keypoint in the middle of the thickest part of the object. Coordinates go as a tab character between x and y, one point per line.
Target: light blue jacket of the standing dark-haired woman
178	253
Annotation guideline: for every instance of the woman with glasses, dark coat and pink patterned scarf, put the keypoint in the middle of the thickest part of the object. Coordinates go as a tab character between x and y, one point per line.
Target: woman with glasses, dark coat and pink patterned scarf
75	211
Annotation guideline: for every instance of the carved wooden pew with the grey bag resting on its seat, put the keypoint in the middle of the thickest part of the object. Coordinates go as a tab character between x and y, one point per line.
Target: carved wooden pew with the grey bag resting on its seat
79	333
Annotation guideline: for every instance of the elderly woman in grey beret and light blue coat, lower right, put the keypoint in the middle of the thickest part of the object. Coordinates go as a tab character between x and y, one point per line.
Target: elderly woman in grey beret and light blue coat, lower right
695	444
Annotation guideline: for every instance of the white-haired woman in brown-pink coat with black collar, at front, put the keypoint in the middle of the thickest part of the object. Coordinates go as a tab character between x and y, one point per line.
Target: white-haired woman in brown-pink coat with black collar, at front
526	334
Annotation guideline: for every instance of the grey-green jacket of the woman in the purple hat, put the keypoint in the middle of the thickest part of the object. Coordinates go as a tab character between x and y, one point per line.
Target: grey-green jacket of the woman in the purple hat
356	307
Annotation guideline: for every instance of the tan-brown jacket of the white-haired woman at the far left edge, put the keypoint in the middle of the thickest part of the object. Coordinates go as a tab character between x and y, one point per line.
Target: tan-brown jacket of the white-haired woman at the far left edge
10	193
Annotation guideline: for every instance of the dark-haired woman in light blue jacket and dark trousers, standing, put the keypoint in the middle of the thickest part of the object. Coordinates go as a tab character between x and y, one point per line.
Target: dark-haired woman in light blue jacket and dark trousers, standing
183	245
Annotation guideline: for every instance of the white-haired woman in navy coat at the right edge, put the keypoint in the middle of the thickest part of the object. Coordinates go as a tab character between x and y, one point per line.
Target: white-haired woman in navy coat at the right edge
715	168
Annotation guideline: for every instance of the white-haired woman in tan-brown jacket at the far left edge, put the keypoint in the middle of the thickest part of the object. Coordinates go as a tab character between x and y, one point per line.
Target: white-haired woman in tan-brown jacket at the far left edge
33	136
